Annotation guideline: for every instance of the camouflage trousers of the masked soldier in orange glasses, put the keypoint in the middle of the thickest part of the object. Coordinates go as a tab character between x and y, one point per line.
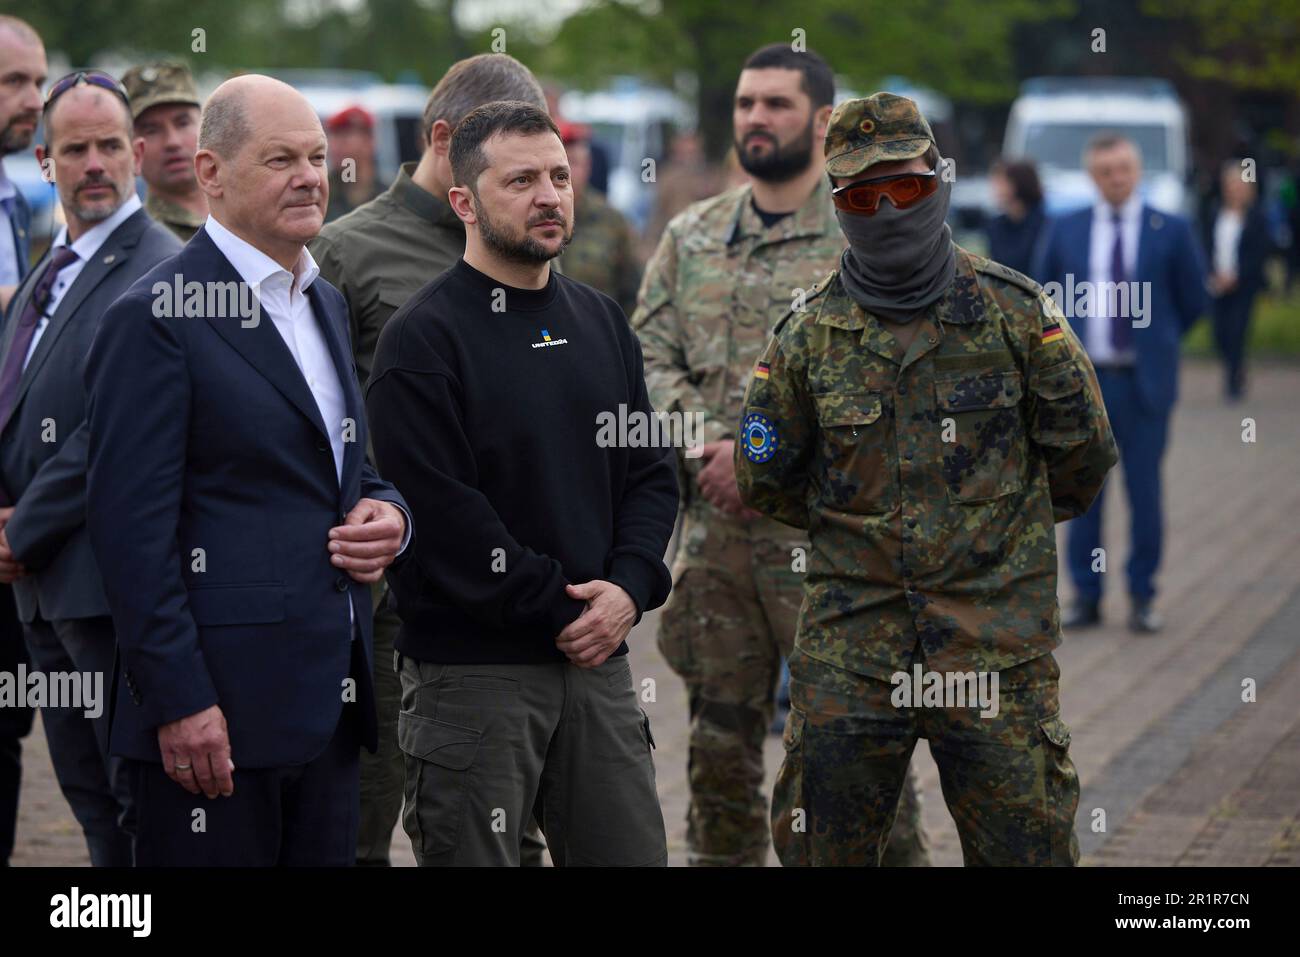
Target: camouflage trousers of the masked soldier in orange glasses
1008	778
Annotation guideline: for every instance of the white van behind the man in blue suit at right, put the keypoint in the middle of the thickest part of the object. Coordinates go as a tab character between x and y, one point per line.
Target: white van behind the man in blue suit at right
1054	119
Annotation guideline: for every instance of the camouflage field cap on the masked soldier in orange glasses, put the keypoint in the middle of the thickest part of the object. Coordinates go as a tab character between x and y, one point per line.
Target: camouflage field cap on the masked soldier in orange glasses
882	127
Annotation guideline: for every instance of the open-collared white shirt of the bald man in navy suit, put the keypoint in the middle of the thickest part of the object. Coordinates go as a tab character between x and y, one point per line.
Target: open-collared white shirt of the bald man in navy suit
284	298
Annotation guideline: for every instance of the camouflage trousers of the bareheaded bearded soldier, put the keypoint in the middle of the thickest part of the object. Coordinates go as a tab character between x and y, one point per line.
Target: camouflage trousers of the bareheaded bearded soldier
731	618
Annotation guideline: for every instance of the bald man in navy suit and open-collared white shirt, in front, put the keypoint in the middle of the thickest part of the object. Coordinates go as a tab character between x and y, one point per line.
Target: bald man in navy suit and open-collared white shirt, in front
235	517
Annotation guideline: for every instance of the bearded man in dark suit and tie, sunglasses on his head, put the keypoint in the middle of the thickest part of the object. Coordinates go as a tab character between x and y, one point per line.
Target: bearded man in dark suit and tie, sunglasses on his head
109	244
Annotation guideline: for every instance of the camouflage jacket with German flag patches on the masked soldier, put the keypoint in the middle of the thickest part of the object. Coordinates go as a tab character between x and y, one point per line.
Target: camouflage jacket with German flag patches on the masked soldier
930	480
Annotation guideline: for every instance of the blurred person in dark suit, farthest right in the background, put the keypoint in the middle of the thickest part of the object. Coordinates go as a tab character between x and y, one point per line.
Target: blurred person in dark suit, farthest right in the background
1238	243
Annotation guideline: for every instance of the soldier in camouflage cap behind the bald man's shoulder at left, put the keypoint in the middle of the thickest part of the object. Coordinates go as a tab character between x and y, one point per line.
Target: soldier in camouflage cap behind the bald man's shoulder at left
166	107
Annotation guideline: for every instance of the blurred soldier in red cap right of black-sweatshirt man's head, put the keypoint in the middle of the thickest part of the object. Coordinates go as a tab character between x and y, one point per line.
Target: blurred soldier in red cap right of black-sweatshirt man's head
604	250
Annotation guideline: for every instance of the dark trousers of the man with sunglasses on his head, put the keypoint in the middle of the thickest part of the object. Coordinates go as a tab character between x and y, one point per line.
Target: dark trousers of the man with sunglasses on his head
92	781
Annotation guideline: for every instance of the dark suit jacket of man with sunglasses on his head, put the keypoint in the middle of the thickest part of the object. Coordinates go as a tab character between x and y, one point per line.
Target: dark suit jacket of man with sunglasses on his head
47	479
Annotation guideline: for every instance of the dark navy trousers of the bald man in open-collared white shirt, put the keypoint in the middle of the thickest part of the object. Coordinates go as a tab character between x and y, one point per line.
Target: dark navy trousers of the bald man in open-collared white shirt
300	816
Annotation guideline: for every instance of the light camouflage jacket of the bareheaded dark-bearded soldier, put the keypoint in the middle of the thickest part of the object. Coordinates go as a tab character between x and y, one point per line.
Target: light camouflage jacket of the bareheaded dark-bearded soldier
714	291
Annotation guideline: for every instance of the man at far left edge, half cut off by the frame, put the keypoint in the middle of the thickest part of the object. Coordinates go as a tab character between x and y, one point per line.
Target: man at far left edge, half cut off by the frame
23	71
